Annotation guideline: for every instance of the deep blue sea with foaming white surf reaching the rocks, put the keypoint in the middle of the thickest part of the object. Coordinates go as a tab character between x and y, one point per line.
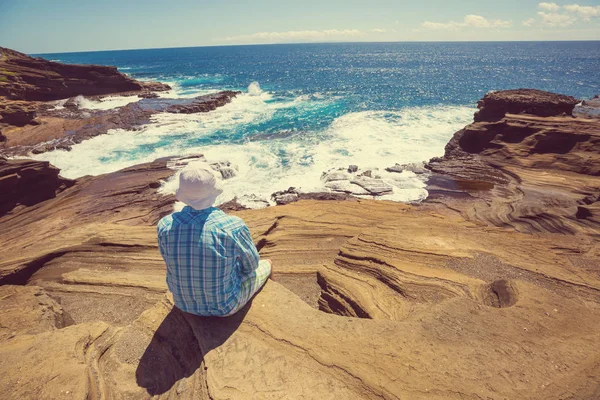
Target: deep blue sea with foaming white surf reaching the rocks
307	108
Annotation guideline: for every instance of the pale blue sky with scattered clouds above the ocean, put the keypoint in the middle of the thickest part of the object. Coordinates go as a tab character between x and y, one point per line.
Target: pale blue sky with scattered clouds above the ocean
42	26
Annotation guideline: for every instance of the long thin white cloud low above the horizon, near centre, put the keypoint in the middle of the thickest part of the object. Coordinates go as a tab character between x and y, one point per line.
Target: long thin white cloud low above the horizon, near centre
295	36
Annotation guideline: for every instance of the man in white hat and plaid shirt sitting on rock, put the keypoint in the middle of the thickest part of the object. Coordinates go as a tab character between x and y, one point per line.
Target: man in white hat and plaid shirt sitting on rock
213	267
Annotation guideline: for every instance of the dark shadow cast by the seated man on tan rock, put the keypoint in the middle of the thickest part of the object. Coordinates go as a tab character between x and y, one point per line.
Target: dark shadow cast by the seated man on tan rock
177	348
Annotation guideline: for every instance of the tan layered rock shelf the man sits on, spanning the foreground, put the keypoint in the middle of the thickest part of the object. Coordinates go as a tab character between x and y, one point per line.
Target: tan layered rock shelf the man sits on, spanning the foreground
490	289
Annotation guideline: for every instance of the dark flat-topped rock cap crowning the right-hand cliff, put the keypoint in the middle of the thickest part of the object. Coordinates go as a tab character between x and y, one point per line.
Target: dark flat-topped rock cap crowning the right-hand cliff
495	105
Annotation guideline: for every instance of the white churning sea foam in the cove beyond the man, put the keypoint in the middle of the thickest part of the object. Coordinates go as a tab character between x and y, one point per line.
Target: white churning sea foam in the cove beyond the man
369	139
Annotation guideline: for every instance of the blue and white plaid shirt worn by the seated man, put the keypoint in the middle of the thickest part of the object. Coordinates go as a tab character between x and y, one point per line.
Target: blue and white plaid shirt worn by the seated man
208	253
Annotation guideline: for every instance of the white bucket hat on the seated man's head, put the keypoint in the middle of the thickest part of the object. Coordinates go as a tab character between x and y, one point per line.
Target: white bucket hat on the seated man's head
199	186
